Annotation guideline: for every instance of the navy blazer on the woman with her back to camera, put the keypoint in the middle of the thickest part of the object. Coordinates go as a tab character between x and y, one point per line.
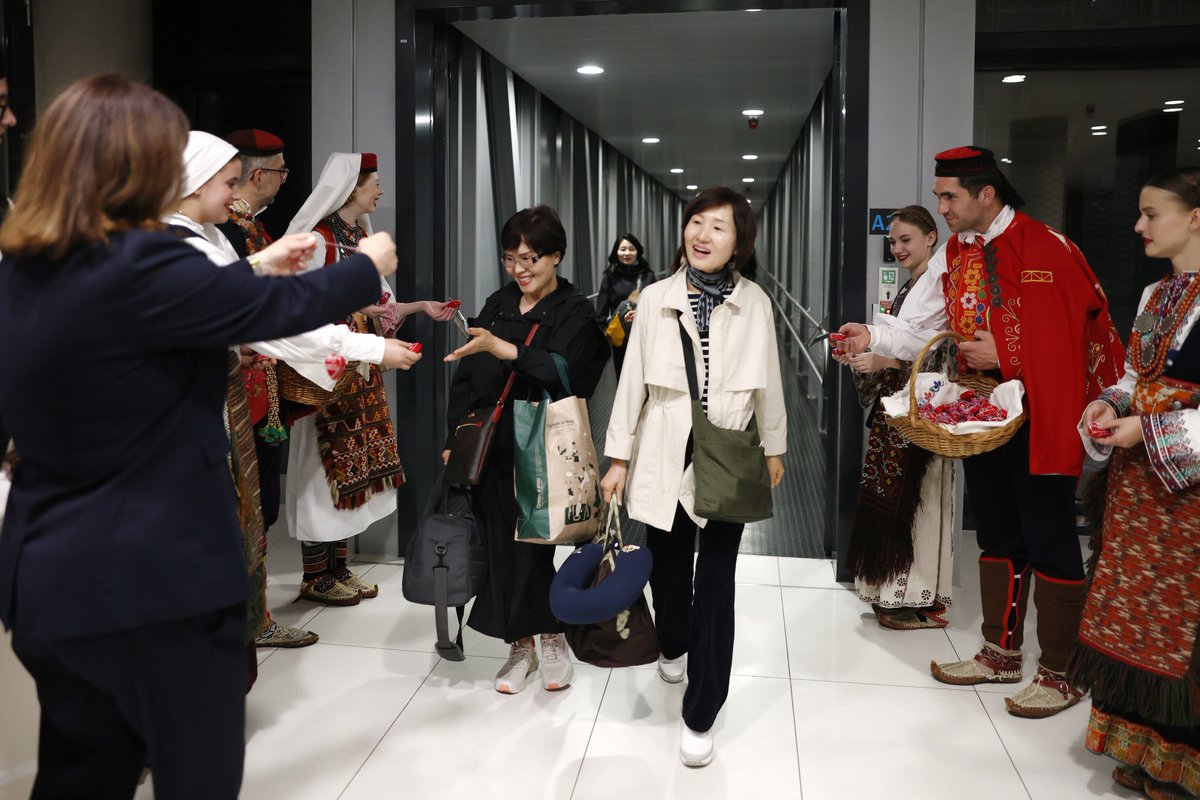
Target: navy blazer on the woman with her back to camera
112	384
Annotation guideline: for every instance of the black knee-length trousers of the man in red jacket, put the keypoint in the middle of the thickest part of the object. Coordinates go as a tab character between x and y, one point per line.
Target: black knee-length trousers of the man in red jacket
1029	520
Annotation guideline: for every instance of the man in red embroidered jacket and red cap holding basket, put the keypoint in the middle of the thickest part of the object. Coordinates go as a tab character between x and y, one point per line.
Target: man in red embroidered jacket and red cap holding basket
1033	310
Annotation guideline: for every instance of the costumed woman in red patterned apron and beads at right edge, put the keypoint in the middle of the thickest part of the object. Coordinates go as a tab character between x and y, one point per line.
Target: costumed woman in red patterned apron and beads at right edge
1138	641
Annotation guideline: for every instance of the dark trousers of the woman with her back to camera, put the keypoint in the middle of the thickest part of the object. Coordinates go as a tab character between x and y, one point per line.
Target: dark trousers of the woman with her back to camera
170	694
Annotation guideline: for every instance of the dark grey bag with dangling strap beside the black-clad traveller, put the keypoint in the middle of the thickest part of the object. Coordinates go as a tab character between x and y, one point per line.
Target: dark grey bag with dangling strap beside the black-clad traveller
445	563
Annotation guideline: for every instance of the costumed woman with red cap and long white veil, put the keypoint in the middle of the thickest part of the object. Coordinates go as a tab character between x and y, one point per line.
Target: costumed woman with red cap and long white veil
344	464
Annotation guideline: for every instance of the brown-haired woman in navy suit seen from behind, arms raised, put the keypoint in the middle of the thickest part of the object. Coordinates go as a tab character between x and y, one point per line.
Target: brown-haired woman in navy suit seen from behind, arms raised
122	570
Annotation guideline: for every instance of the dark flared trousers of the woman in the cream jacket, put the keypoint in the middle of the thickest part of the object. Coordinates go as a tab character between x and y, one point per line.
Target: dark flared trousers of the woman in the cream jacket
697	617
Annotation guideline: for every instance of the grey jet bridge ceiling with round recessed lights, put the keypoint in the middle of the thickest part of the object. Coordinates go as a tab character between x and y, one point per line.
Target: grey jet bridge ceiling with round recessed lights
683	79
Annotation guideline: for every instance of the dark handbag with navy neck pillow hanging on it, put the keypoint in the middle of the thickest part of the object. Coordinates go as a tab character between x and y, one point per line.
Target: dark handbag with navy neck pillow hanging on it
627	639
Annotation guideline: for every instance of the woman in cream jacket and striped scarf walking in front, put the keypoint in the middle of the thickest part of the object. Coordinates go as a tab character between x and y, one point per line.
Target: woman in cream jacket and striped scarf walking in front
731	328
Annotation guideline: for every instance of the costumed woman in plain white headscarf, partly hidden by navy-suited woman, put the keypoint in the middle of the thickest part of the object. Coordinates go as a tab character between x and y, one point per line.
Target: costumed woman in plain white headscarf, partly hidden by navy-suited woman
211	171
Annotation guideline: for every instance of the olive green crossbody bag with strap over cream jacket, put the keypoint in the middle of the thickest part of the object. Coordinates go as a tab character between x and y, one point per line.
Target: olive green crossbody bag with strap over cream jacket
730	468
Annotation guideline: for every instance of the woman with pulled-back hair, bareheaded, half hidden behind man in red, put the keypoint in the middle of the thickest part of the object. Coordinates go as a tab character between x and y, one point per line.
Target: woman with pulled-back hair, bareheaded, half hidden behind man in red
901	542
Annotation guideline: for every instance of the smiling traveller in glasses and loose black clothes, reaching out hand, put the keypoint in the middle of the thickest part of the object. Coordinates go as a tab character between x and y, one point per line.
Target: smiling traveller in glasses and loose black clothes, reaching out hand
514	603
